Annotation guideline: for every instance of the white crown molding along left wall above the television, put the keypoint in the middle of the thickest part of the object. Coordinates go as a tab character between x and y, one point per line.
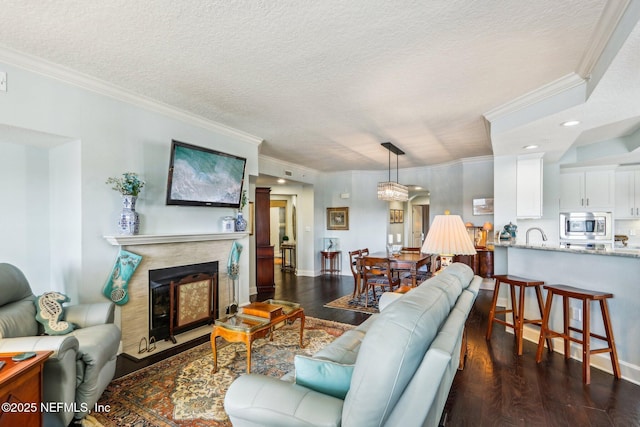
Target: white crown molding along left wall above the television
93	84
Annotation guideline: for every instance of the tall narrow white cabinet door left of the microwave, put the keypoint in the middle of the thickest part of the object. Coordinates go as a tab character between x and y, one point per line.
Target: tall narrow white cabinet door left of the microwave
529	175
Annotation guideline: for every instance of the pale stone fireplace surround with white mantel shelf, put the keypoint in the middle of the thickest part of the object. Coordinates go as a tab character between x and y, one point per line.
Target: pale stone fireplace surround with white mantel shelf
162	251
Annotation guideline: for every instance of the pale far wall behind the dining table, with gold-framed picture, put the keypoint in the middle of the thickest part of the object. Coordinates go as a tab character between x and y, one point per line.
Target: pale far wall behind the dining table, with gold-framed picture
452	187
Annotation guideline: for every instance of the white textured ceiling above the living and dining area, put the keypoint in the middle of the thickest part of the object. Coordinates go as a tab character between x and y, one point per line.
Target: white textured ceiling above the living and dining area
321	82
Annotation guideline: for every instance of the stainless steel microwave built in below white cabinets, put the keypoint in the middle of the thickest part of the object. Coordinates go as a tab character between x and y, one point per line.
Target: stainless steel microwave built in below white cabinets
586	226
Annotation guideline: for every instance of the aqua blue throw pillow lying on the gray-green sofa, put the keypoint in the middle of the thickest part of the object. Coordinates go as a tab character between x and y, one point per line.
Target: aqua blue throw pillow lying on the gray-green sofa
323	376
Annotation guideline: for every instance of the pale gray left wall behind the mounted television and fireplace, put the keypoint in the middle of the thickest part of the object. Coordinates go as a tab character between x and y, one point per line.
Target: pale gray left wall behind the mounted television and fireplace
106	137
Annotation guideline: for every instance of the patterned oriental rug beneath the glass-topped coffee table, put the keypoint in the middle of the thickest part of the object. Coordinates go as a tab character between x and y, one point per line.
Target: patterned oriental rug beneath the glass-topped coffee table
184	391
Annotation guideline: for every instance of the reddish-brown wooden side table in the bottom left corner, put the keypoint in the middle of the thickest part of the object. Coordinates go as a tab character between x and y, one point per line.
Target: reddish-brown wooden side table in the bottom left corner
21	389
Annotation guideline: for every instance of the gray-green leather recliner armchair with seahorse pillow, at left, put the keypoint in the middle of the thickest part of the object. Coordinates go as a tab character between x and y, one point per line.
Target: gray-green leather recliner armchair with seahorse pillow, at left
83	362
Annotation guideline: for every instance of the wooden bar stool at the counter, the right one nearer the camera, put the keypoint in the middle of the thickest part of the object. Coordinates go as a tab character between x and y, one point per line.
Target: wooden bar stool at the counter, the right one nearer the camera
586	296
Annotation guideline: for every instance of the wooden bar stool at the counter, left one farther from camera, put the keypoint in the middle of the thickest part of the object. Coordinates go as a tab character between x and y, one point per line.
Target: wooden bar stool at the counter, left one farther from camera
517	307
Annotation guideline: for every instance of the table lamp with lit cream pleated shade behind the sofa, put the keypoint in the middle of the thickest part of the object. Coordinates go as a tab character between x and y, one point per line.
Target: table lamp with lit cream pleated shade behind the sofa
447	237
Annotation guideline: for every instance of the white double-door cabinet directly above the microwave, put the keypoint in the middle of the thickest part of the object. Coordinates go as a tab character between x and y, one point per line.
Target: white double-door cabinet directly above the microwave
587	190
